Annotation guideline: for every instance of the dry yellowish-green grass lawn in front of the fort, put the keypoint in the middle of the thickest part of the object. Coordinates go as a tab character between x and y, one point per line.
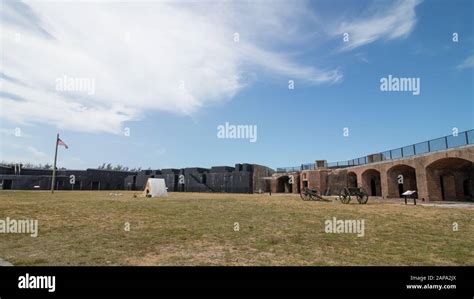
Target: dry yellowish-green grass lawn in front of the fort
88	228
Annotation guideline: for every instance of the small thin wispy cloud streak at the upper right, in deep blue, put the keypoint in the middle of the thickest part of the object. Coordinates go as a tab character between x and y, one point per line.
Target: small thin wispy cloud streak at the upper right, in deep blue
387	23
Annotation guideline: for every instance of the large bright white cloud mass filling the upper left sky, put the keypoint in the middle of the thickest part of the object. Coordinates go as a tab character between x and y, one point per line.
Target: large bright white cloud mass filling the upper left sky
148	56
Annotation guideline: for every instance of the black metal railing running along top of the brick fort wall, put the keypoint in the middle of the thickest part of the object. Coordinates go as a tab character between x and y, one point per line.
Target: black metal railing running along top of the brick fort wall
433	145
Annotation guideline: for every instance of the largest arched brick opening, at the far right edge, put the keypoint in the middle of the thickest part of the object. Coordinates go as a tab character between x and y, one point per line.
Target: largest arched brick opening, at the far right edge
450	179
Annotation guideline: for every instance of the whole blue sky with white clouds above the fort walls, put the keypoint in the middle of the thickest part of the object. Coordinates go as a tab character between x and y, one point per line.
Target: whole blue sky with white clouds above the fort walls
172	72
